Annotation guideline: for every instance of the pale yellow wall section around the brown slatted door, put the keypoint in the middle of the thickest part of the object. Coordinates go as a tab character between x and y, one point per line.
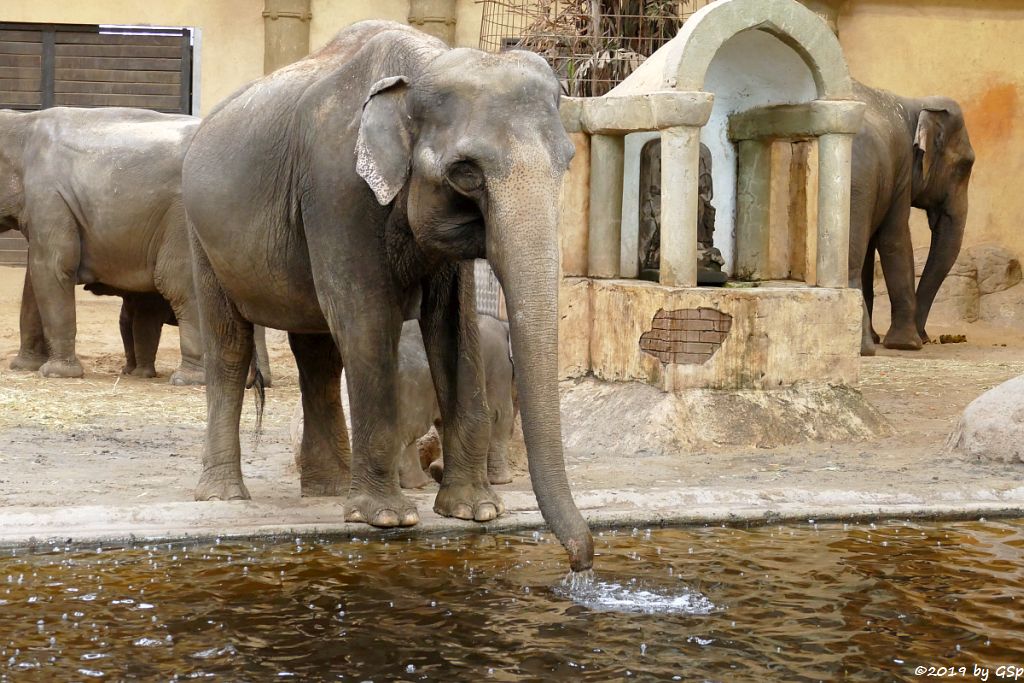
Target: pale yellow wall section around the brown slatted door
232	49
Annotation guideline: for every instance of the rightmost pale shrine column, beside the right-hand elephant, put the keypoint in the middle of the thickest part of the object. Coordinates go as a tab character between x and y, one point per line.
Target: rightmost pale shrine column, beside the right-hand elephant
835	152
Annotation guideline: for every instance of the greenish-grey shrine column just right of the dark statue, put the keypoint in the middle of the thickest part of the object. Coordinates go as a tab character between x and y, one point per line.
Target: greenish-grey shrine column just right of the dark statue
753	208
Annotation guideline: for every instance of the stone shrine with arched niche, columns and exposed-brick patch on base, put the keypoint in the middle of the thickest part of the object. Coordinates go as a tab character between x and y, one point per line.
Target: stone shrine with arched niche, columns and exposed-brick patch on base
742	78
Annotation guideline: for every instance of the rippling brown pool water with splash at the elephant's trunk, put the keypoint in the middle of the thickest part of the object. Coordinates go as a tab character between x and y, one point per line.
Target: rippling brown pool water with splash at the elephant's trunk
791	604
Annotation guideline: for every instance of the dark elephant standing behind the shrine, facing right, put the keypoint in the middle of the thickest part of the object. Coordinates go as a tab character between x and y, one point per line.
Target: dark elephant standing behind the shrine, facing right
911	153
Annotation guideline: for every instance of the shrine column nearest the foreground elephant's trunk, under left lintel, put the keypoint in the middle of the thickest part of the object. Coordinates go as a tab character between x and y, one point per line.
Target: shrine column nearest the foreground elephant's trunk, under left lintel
607	153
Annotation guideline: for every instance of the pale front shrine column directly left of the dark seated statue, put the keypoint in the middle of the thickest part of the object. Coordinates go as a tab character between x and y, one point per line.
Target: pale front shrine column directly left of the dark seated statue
680	173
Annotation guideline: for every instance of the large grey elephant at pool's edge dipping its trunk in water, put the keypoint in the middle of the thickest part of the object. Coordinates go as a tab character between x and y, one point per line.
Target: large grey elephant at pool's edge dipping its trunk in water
347	193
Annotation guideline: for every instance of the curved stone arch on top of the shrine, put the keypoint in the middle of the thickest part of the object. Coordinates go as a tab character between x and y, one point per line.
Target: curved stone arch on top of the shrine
691	54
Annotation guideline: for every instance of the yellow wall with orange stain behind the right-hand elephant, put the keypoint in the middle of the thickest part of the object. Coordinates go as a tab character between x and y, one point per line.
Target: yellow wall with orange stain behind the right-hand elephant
967	50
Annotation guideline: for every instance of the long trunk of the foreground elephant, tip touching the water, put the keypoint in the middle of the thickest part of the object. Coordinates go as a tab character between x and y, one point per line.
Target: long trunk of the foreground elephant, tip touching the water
523	250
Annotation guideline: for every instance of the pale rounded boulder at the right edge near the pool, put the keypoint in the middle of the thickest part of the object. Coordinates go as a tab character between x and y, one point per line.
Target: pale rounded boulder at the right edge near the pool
993	425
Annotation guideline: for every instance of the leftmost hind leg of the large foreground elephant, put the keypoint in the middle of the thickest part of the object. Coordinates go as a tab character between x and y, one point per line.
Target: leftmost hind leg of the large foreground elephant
228	347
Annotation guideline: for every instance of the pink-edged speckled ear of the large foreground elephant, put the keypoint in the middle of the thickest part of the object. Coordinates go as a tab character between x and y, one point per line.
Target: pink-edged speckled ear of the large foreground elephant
385	147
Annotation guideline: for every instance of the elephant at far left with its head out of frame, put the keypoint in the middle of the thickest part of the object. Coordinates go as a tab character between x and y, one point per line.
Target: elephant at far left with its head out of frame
98	193
